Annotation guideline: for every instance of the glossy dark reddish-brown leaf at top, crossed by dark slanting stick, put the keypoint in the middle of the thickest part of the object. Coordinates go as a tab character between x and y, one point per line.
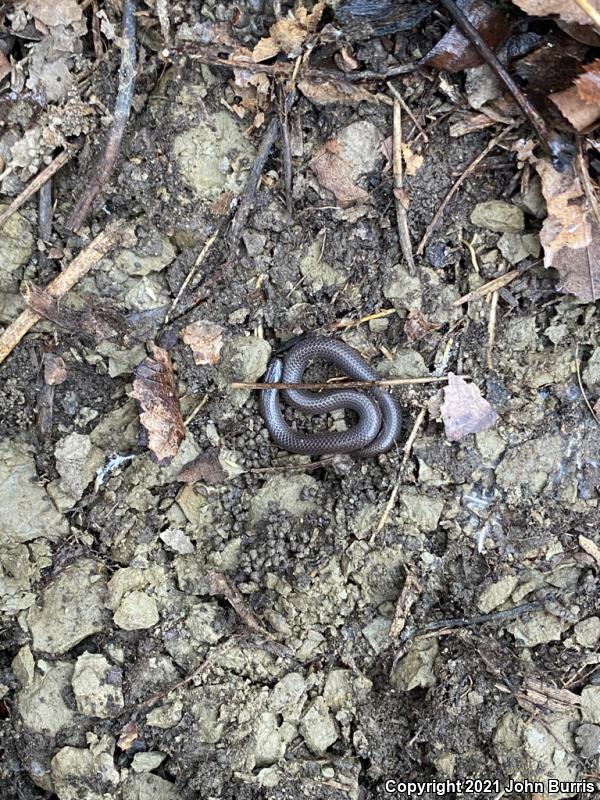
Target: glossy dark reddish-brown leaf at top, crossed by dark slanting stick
454	52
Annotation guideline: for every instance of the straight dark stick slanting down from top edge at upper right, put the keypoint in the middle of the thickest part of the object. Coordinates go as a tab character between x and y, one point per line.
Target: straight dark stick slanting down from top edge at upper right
556	147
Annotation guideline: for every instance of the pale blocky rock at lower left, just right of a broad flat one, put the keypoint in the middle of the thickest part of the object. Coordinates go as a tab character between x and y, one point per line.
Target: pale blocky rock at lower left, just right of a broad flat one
97	686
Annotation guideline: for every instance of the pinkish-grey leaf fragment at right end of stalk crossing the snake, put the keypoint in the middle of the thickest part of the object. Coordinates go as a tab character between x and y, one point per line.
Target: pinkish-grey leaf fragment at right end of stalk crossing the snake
464	410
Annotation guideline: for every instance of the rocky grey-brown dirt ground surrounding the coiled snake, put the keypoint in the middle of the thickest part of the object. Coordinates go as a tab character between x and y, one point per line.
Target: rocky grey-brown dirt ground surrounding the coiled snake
131	668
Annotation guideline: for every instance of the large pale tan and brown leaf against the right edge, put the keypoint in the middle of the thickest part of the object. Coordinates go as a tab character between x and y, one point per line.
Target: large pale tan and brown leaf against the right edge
570	236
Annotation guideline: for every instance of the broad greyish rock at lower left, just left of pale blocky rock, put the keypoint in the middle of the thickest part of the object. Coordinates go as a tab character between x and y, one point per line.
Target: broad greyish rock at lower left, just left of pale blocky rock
41	703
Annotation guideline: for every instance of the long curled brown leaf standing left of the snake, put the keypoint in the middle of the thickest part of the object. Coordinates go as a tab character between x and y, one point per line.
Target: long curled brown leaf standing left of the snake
154	389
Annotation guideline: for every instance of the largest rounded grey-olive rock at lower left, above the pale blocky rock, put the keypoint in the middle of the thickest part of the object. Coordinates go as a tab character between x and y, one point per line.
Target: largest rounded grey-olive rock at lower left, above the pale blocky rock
72	608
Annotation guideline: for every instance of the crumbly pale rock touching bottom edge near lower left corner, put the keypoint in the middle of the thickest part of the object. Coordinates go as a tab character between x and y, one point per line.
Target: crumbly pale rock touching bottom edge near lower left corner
85	774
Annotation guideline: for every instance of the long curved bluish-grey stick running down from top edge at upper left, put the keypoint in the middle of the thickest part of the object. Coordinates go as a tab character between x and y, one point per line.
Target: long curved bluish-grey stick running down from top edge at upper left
117	128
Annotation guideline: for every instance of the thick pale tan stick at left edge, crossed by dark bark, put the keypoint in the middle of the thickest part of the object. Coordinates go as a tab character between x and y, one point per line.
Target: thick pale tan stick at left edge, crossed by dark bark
63	282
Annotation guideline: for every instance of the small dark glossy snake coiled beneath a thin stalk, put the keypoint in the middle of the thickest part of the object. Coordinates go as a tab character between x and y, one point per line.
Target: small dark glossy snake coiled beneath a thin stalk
379	417
